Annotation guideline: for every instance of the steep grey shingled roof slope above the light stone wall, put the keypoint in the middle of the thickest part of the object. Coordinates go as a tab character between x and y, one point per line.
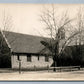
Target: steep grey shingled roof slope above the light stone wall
22	43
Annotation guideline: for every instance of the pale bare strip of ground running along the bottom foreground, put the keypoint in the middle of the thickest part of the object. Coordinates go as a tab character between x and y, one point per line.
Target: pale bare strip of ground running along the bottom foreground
43	76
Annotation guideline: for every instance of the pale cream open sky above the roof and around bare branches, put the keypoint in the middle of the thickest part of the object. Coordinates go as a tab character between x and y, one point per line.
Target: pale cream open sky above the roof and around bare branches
26	16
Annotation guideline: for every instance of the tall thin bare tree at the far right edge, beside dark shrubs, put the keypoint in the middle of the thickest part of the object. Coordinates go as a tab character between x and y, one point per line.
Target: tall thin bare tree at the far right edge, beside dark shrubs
80	27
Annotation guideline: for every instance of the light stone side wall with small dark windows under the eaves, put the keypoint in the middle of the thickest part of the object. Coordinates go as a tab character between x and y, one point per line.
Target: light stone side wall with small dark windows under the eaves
35	63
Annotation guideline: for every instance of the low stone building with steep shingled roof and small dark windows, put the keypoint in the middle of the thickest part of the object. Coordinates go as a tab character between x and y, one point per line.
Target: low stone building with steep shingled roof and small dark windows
26	48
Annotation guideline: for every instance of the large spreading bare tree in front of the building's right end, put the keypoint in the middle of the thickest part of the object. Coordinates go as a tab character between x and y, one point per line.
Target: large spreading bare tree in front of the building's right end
58	26
